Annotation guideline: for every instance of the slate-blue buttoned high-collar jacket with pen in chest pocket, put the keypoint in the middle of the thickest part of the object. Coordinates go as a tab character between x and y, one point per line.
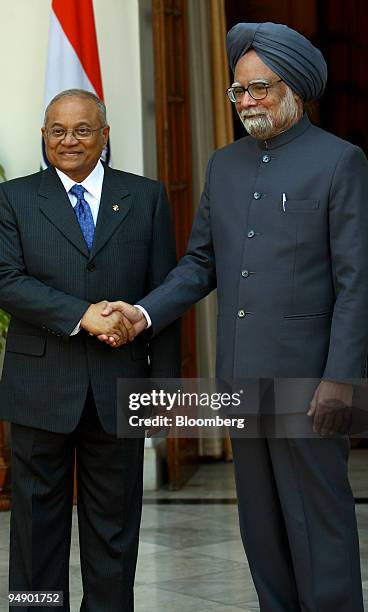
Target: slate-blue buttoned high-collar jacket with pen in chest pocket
292	284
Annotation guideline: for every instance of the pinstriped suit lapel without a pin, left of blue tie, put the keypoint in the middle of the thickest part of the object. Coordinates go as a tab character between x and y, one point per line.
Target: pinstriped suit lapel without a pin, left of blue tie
55	205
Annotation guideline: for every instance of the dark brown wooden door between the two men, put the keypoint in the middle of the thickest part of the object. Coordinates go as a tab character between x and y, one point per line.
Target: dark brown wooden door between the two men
174	169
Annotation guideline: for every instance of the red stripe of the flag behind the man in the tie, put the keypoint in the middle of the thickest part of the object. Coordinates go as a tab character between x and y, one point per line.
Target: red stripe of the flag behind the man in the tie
77	21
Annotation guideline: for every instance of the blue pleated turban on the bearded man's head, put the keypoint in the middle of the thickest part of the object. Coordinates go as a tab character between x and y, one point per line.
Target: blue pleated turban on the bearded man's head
289	54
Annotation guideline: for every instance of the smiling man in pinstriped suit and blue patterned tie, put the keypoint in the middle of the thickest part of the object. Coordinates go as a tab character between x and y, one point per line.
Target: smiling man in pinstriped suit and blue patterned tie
72	237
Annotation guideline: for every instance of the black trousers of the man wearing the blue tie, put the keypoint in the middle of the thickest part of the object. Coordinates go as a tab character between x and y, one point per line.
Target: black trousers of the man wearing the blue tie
109	479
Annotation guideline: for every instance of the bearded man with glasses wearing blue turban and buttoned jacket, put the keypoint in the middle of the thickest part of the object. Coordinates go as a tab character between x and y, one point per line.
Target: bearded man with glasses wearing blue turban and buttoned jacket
282	232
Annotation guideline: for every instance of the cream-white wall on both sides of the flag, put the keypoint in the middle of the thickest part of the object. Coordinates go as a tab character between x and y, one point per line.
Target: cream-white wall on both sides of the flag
24	28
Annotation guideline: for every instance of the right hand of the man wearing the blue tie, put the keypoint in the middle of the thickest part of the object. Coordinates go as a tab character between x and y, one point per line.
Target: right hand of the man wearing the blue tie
115	326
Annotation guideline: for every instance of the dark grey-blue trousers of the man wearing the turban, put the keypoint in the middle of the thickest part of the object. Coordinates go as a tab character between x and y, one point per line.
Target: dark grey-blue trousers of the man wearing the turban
298	524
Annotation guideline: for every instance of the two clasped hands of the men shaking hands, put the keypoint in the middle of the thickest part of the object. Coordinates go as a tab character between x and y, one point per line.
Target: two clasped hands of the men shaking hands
113	322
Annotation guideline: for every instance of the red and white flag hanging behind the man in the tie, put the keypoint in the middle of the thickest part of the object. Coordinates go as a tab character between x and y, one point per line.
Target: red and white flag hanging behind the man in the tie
73	60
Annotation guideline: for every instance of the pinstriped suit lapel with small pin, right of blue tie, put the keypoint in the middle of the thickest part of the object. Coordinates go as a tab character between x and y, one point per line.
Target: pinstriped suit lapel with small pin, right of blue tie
114	207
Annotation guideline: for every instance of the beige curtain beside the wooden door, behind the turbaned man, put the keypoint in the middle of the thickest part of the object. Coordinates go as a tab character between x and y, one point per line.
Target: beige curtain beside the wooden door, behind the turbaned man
211	127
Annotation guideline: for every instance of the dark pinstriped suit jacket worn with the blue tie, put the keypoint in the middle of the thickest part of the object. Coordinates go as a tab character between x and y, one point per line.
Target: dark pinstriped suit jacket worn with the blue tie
47	281
